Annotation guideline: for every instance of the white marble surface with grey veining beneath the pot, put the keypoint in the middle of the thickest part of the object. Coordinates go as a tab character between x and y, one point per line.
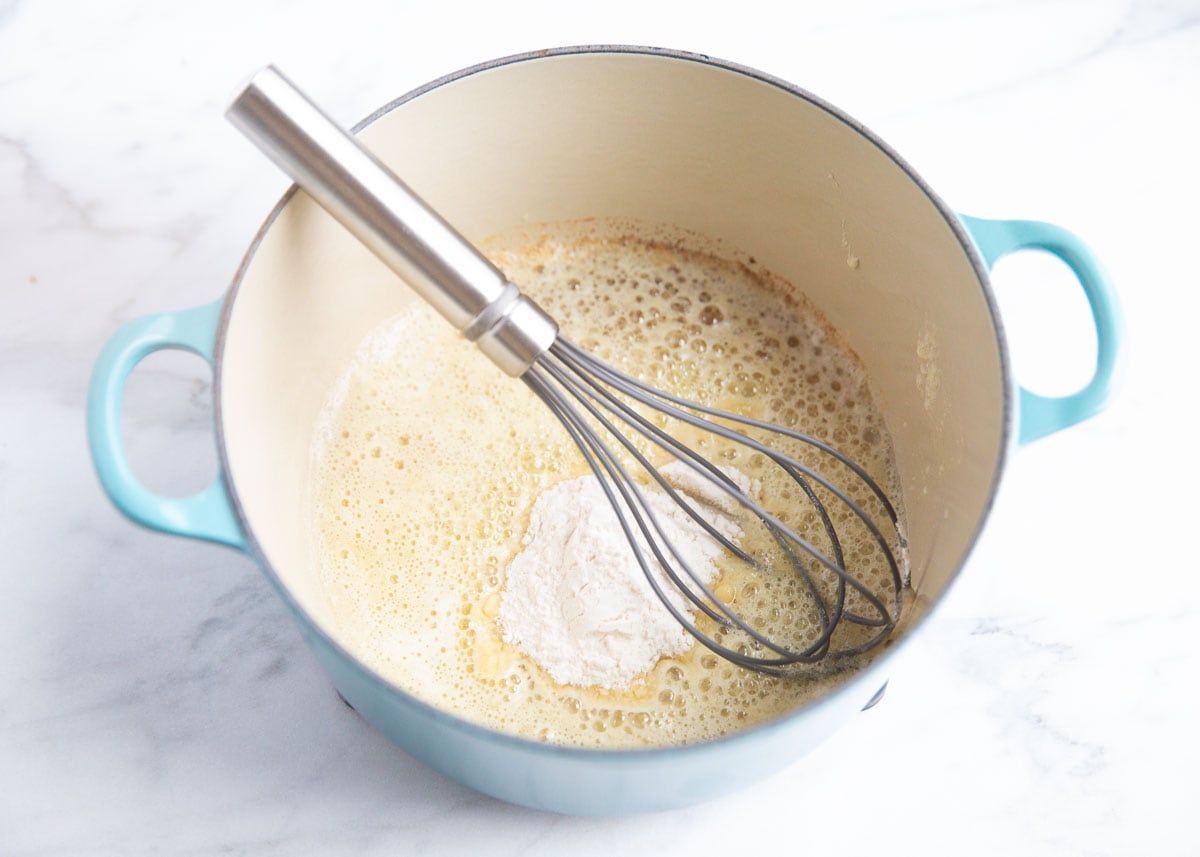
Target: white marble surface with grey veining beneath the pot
155	699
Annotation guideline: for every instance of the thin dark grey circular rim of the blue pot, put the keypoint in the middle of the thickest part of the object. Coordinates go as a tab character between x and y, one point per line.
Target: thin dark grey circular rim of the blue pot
871	674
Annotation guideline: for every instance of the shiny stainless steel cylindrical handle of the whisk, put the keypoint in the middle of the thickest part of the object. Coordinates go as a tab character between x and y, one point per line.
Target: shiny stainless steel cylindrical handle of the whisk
397	225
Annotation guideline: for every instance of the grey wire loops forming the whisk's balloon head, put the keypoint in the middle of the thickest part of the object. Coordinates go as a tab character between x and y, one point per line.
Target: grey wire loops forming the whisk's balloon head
567	374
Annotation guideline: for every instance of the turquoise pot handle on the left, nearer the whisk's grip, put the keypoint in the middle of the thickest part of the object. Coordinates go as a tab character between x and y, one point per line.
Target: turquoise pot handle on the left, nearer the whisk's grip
206	516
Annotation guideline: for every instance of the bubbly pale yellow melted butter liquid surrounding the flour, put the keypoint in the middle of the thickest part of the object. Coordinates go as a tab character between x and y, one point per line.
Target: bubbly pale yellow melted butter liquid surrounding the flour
429	462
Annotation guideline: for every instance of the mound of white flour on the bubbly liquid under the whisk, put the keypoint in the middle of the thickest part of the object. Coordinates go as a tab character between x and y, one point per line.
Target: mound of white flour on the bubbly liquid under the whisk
575	598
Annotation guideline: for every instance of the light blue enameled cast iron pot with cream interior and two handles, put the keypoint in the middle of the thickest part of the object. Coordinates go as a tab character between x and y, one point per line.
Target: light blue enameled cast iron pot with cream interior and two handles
668	139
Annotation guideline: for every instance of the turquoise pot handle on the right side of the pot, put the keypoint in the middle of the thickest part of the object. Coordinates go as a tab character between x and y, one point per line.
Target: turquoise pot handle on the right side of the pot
1041	416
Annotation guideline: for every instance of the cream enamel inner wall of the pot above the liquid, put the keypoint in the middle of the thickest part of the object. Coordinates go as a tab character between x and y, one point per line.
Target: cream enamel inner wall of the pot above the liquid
663	140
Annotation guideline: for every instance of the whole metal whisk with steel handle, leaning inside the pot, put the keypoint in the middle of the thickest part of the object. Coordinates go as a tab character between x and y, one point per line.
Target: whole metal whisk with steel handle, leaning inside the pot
598	406
